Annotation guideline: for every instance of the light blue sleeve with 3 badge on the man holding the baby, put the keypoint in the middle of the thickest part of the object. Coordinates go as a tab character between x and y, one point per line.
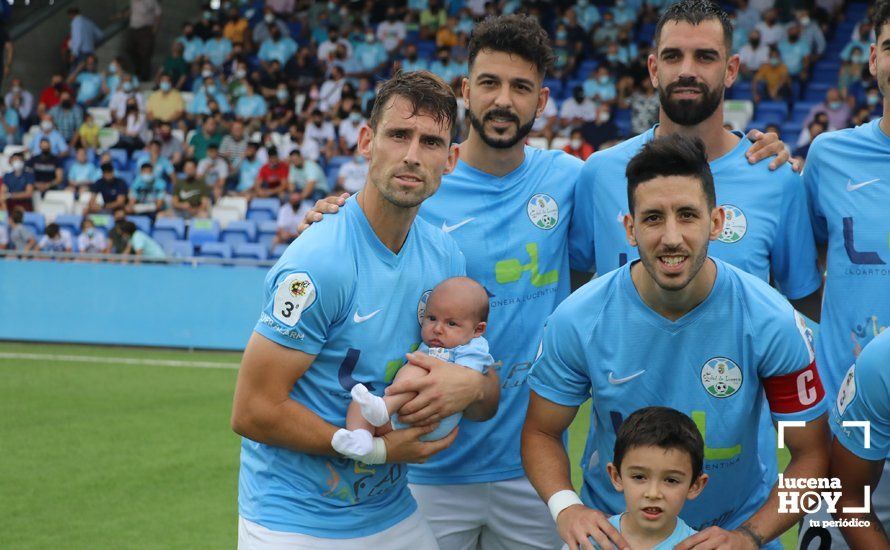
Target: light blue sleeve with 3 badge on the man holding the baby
304	298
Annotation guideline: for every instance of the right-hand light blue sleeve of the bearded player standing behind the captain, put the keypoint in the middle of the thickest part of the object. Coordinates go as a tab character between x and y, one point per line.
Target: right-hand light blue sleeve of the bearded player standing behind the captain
793	256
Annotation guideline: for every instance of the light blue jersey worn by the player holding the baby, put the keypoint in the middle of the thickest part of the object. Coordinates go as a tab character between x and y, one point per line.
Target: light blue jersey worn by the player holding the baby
338	293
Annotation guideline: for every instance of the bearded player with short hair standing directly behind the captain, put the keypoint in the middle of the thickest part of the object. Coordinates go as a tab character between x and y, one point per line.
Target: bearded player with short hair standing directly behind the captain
767	231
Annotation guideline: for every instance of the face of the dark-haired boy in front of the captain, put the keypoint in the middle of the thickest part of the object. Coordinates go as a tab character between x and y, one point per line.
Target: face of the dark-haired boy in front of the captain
656	482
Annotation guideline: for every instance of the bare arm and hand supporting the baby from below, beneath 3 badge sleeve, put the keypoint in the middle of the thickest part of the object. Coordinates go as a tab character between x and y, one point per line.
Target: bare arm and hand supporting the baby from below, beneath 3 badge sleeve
263	411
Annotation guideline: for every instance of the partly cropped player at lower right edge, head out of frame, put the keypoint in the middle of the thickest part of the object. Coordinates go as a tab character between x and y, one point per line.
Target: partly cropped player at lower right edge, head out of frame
859	451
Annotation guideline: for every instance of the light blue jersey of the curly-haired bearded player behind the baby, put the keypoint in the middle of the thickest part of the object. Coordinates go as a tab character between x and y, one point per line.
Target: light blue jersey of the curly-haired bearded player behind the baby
513	231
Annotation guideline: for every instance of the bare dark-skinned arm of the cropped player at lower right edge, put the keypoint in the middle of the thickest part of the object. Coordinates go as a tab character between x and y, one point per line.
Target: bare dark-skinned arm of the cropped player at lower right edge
855	474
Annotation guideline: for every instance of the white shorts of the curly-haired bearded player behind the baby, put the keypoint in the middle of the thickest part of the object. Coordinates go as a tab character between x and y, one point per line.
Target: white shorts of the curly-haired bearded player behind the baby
499	515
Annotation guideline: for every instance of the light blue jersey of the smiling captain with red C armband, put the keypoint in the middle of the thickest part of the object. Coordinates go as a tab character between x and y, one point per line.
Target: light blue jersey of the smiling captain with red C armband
603	342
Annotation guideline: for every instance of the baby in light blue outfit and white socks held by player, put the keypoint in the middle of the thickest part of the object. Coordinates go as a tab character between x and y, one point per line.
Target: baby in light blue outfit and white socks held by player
452	326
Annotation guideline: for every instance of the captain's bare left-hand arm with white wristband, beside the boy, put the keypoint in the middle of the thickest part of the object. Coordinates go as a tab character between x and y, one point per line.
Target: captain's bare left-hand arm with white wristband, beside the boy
547	466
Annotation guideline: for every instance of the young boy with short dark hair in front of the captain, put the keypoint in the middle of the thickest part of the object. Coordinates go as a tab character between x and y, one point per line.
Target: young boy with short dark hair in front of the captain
657	464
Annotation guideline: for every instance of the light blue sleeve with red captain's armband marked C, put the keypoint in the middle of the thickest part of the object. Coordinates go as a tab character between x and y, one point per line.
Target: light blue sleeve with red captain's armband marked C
788	367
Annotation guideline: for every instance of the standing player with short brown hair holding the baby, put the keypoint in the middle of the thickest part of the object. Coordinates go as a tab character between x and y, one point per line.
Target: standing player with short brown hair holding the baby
341	307
